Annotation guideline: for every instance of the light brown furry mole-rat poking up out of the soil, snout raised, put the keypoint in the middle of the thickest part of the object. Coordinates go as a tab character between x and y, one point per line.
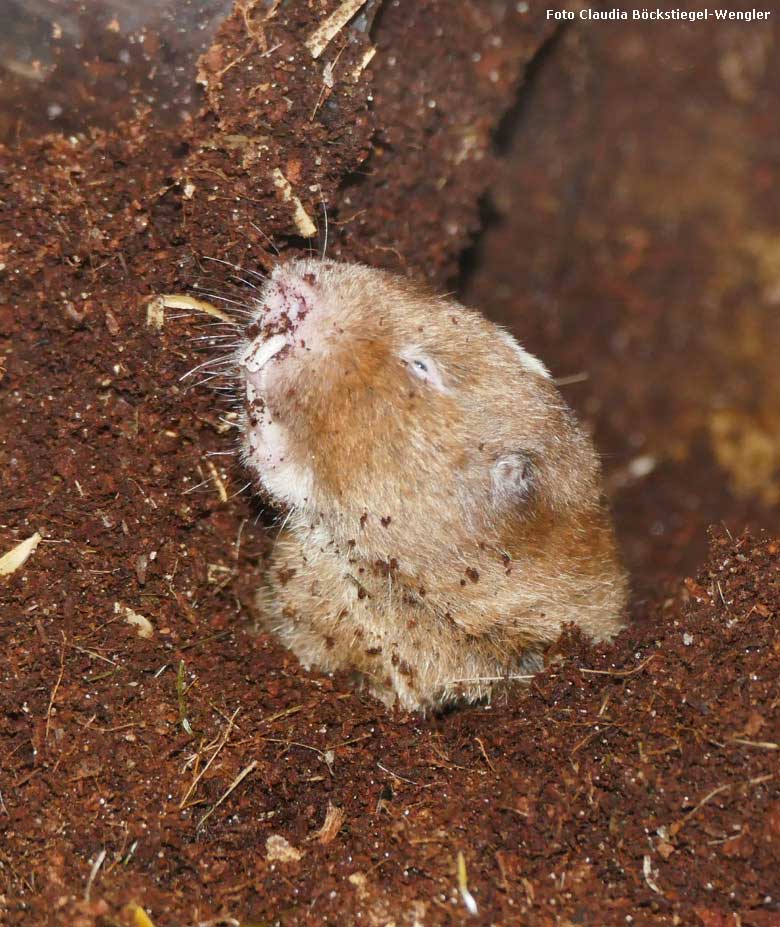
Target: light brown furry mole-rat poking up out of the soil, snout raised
443	509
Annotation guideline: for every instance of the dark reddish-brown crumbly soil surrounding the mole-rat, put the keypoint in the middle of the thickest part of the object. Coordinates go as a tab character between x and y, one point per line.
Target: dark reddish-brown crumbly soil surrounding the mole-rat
162	763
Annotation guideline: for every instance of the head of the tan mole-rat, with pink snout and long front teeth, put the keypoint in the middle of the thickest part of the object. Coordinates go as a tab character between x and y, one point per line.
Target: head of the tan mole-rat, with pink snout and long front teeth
369	398
